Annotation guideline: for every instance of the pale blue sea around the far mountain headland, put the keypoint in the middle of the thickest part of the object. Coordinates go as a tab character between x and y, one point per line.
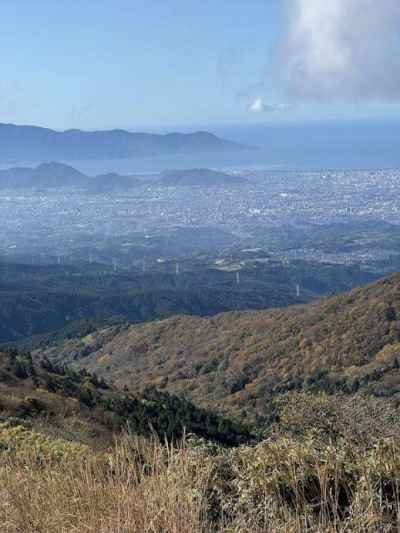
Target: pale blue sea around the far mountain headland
362	144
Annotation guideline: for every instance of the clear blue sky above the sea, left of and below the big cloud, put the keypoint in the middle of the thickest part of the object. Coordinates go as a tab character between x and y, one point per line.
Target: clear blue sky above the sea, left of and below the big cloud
135	64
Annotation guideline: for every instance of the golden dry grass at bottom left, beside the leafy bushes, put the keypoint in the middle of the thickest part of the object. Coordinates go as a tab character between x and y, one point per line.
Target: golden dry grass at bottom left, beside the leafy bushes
122	491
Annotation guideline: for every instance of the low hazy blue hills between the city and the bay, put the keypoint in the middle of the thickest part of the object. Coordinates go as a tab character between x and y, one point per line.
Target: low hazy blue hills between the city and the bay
50	175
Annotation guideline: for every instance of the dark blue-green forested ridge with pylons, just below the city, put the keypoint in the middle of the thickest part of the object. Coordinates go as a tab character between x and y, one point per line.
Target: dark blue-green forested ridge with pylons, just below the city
40	300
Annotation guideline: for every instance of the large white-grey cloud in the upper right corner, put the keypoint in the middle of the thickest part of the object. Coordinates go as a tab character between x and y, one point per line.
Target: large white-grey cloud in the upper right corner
344	50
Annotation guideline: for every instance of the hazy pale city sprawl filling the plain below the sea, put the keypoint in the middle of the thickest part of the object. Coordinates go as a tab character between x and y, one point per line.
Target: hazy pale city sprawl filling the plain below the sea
289	214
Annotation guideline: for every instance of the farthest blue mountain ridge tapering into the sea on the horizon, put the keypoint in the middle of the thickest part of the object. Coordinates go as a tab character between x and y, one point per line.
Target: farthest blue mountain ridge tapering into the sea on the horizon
35	143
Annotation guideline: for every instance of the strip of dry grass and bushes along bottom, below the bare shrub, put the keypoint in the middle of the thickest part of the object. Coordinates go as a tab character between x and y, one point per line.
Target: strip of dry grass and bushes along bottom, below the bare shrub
146	487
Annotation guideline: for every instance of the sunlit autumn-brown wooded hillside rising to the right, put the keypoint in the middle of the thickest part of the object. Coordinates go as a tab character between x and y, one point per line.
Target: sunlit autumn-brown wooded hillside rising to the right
238	361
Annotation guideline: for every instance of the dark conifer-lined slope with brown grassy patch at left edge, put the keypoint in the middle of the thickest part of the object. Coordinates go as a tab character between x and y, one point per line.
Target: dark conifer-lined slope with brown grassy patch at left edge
82	408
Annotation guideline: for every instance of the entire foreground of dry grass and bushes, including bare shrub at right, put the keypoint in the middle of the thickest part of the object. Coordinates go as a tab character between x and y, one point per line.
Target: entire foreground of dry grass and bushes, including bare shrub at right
332	465
